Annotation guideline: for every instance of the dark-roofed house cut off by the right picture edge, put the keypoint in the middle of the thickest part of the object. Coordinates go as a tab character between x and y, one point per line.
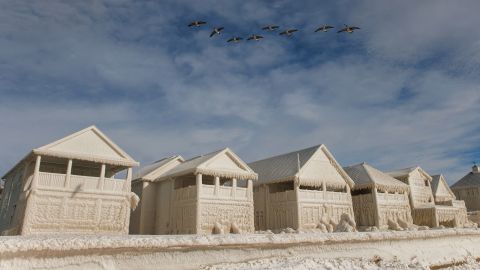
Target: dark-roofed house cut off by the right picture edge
468	189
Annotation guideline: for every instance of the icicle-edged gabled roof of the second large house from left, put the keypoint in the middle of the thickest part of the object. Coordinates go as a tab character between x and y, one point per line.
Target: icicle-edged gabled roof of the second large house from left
222	163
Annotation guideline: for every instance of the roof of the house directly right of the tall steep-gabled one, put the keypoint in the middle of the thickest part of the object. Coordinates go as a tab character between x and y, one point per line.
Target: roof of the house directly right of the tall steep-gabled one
367	177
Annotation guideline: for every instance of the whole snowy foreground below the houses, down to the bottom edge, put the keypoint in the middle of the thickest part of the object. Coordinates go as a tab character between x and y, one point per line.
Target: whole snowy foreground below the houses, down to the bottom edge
291	251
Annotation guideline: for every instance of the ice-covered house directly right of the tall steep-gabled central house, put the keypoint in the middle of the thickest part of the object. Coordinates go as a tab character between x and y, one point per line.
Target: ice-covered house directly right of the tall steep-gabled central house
378	199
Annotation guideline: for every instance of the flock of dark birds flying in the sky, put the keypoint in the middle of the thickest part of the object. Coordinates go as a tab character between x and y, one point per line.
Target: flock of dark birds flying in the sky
271	28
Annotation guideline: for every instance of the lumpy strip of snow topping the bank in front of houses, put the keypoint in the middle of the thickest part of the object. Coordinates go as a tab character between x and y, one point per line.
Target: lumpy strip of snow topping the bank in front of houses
12	244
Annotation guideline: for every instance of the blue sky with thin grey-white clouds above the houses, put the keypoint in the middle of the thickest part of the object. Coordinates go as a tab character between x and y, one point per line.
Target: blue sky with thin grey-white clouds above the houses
402	91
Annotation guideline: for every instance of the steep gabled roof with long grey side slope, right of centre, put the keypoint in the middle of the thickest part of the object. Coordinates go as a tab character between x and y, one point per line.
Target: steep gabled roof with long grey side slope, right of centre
291	166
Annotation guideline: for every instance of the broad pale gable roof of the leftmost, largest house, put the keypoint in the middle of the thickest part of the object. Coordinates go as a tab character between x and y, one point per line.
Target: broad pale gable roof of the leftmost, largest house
87	144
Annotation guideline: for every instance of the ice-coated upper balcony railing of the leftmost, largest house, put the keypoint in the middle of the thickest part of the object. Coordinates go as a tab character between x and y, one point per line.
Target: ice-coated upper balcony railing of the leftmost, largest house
79	182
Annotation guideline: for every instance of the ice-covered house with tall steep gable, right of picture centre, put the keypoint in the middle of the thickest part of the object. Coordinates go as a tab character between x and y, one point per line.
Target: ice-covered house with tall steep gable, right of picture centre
300	189
